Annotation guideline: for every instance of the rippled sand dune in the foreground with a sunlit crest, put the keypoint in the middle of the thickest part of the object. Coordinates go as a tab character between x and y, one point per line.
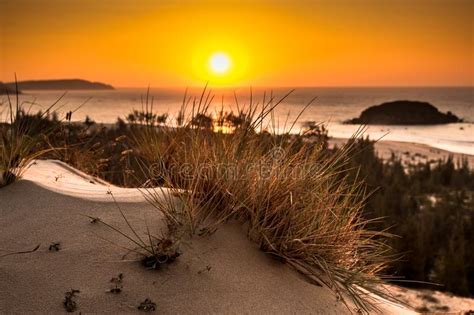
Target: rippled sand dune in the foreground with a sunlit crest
222	273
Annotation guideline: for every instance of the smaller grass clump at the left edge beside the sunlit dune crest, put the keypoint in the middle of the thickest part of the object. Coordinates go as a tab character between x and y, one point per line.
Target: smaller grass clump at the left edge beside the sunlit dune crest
22	138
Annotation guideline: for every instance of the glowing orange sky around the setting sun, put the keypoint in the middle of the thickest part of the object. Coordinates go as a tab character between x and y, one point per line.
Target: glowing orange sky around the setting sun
271	43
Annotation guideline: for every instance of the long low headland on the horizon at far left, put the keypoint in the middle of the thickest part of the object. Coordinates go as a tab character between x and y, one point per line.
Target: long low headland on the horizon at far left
64	84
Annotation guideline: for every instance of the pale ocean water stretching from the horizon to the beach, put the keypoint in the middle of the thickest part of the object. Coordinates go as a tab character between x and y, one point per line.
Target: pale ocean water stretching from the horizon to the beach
332	106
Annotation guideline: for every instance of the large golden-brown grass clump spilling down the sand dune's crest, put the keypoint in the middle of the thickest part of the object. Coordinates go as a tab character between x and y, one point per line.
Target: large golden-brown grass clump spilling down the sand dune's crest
295	197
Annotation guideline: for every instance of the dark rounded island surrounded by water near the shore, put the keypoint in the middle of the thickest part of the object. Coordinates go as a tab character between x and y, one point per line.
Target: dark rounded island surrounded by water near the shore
404	113
